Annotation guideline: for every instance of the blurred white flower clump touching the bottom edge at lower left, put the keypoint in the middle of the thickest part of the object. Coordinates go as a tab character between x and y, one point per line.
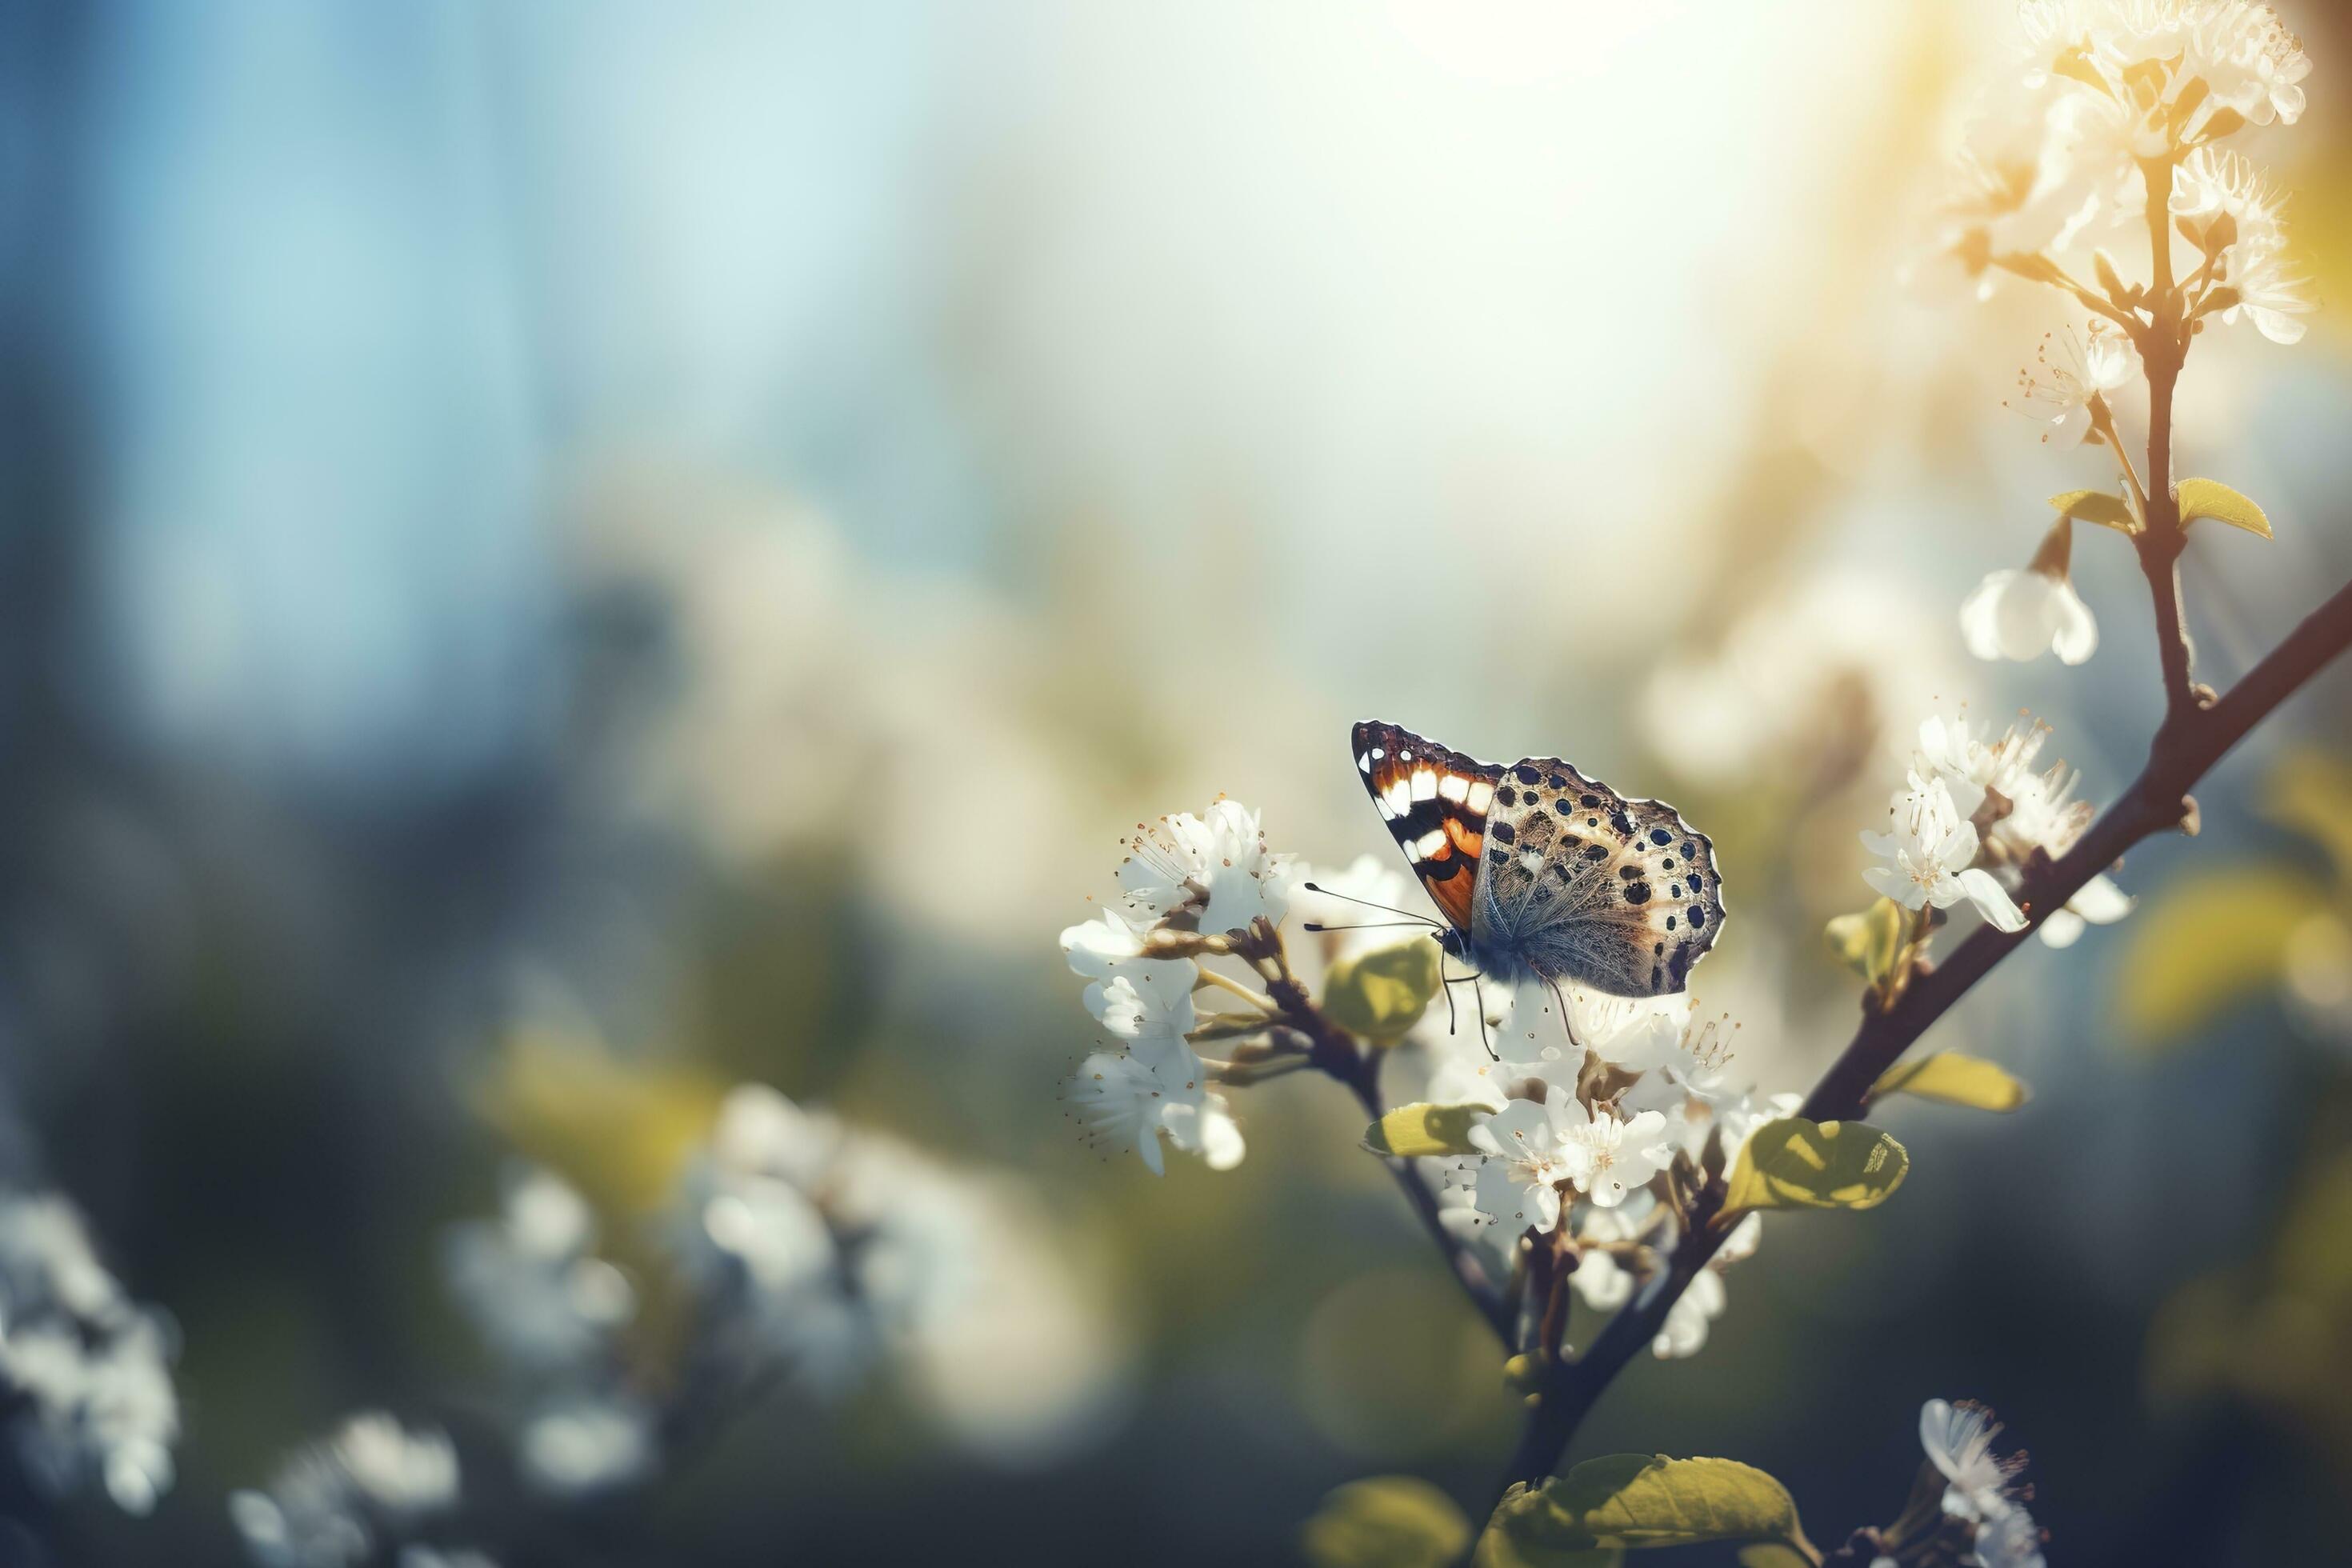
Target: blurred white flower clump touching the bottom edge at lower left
340	1501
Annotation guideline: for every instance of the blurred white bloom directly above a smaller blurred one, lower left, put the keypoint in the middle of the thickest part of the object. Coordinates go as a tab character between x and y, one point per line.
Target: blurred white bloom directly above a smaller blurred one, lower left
530	1280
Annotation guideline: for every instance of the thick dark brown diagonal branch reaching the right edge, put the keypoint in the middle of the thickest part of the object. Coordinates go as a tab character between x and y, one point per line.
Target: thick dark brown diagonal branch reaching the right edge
2186	746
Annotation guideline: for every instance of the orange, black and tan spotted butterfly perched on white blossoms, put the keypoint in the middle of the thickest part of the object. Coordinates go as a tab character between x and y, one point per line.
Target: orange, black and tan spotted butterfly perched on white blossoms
1544	873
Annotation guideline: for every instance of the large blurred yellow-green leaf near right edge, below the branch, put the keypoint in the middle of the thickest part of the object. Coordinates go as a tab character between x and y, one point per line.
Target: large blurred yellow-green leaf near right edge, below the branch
2210	942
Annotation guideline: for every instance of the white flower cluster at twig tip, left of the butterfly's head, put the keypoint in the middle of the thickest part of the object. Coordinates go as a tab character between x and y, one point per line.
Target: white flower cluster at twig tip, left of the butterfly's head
1189	885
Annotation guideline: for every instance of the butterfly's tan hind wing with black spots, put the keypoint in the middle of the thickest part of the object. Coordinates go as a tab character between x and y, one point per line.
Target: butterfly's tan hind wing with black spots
1586	885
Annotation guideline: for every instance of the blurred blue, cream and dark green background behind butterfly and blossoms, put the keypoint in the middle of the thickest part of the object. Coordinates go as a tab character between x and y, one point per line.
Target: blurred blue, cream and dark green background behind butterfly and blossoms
561	558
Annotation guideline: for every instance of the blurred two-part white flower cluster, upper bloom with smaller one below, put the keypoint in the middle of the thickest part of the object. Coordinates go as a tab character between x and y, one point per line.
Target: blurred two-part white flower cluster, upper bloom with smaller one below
554	1311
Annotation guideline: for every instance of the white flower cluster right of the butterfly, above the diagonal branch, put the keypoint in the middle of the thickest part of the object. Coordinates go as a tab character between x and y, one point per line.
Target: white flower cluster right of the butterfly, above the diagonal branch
1972	815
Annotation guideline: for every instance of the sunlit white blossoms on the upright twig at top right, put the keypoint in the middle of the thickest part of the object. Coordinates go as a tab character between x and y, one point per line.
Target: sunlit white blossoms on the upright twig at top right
2123	121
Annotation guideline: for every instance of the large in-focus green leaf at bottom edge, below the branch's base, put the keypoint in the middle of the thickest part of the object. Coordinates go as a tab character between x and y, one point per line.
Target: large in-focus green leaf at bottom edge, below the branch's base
1645	1501
